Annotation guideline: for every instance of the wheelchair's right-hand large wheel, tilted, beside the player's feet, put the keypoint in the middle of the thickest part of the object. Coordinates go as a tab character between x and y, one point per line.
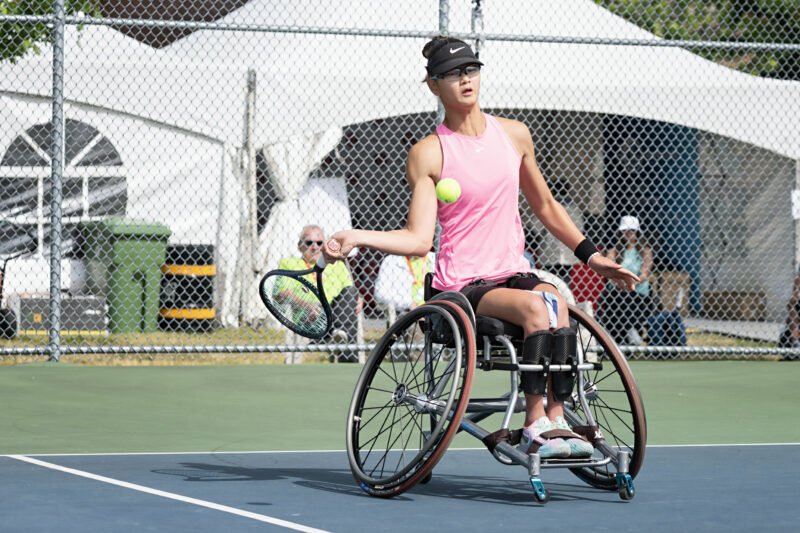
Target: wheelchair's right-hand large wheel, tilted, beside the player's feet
613	399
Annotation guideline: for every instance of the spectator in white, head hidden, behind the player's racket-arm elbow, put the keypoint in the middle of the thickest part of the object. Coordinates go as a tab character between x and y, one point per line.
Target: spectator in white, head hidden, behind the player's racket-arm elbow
401	281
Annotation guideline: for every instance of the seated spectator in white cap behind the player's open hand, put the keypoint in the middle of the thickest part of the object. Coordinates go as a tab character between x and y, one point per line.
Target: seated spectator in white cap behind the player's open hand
623	313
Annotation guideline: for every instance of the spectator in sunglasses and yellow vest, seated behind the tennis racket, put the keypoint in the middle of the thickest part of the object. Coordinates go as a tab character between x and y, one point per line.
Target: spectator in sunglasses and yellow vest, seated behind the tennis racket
337	282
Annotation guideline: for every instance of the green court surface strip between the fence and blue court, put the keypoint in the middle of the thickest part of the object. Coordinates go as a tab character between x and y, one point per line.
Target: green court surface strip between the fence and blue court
60	408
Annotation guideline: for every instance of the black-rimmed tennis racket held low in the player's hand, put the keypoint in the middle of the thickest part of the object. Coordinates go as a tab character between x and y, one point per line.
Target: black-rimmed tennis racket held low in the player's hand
297	299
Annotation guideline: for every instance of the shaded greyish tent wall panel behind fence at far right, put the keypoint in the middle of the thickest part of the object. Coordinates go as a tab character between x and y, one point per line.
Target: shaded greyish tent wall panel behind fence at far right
745	218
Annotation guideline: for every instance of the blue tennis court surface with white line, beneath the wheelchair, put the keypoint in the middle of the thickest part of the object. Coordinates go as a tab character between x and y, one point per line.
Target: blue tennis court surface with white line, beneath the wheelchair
687	488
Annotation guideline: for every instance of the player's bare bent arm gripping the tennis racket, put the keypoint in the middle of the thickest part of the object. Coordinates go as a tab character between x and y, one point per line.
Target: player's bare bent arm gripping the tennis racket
422	169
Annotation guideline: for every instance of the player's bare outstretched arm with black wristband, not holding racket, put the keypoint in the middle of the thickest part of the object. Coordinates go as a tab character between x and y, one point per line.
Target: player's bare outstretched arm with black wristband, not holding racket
550	212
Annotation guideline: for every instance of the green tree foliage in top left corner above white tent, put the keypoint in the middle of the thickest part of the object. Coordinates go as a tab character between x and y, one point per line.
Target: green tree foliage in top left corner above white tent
18	38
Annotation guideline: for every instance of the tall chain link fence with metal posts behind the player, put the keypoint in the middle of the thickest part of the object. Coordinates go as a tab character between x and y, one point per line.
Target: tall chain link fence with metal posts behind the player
157	158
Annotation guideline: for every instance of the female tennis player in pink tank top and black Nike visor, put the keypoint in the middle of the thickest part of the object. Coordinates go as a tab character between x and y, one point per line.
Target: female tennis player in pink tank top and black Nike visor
482	240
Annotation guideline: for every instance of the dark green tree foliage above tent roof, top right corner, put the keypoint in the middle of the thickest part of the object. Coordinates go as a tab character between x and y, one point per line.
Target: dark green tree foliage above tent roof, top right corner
764	21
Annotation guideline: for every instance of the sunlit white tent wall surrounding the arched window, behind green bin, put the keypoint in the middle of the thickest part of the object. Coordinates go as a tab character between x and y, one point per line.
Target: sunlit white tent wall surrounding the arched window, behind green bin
179	178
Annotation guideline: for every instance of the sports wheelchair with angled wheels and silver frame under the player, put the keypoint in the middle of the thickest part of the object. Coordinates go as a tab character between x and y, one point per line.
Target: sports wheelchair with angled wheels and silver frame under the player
413	396
